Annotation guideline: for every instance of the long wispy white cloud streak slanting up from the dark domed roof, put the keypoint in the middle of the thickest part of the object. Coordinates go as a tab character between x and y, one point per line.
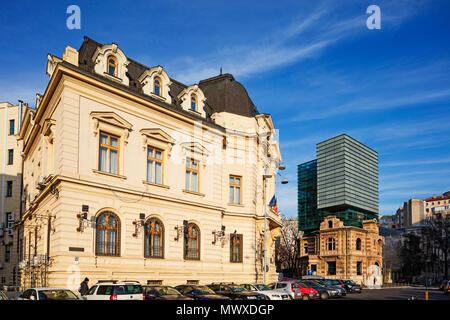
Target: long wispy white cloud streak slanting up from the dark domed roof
306	36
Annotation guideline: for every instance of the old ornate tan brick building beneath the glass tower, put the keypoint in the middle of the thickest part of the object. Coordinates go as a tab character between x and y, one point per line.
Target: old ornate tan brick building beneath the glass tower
343	252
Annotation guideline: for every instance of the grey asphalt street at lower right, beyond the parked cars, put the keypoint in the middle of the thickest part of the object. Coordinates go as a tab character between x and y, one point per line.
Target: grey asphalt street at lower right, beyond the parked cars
398	294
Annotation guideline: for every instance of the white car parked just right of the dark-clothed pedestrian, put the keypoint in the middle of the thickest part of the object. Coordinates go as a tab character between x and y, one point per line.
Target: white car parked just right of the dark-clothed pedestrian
115	290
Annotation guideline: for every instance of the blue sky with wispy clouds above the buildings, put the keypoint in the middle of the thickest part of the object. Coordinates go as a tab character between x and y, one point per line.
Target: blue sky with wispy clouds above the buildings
313	65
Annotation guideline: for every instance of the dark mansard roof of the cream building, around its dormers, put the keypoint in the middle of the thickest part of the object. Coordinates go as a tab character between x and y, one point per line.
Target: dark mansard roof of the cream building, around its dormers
223	93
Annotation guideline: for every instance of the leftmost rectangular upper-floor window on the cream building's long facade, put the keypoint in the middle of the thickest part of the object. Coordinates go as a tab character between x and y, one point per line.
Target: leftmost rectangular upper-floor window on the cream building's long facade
108	153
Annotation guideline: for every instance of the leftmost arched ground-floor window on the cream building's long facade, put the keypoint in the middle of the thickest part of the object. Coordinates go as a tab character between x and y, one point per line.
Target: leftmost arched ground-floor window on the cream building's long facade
108	234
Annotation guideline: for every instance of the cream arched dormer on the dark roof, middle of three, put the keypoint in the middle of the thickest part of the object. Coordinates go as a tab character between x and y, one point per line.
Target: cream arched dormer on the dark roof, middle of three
155	82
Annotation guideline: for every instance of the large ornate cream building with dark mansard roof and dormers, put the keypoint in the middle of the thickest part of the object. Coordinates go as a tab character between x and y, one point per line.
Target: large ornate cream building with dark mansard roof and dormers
130	174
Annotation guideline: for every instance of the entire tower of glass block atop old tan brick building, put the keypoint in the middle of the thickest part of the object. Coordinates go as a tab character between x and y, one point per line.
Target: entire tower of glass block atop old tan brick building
338	212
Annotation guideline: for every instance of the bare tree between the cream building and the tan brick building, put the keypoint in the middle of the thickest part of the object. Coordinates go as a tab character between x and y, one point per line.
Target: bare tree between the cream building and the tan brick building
288	247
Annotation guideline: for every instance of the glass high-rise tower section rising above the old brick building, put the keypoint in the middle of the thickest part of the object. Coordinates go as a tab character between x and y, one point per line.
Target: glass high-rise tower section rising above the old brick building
342	181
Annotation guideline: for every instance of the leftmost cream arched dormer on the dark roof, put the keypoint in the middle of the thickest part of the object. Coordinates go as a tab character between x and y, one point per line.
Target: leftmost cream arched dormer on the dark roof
103	65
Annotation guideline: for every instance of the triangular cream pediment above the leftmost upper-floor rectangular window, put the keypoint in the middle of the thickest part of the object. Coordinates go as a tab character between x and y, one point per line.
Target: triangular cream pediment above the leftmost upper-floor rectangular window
112	122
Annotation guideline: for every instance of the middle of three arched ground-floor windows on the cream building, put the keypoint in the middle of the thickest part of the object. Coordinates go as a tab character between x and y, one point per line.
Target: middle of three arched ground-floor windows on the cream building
154	239
